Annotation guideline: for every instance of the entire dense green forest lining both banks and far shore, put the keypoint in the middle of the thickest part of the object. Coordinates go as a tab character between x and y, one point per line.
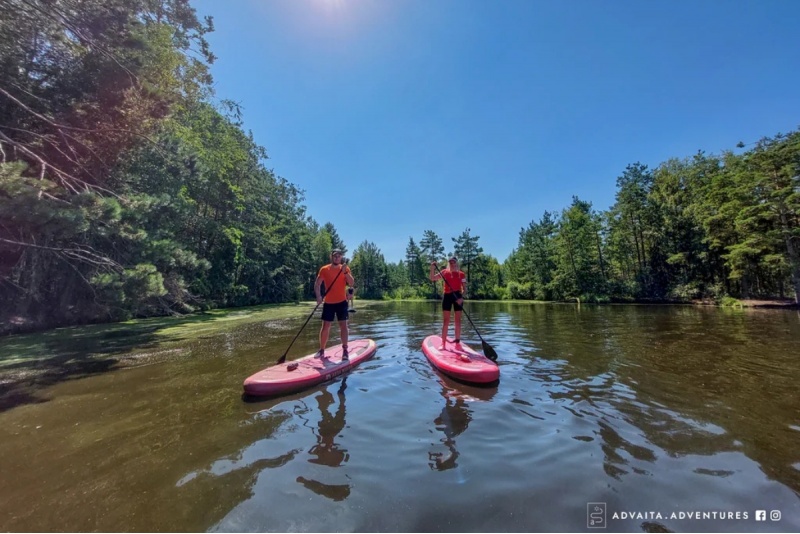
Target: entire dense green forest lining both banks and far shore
127	189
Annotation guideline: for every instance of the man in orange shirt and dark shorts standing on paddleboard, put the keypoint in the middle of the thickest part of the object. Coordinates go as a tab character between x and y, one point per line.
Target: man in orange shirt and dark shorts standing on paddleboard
336	277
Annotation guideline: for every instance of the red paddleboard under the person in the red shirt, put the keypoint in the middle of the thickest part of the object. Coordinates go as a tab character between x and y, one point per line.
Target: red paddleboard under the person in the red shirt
460	361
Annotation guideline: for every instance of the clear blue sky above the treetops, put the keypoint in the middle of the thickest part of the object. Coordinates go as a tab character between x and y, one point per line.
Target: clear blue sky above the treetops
400	116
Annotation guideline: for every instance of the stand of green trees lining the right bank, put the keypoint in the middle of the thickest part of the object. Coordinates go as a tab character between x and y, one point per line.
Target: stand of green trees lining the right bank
703	227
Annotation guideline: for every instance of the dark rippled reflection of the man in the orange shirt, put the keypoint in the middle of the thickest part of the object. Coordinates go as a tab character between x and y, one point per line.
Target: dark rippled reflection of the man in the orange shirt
327	451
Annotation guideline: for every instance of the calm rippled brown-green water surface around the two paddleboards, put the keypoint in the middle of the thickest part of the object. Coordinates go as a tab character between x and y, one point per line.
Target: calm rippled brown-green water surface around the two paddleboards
650	410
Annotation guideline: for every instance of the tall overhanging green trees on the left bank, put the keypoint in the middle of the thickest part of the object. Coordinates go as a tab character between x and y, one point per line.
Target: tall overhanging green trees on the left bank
130	194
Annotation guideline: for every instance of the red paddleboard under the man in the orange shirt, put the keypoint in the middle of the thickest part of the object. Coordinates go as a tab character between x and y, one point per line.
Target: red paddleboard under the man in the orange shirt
309	370
